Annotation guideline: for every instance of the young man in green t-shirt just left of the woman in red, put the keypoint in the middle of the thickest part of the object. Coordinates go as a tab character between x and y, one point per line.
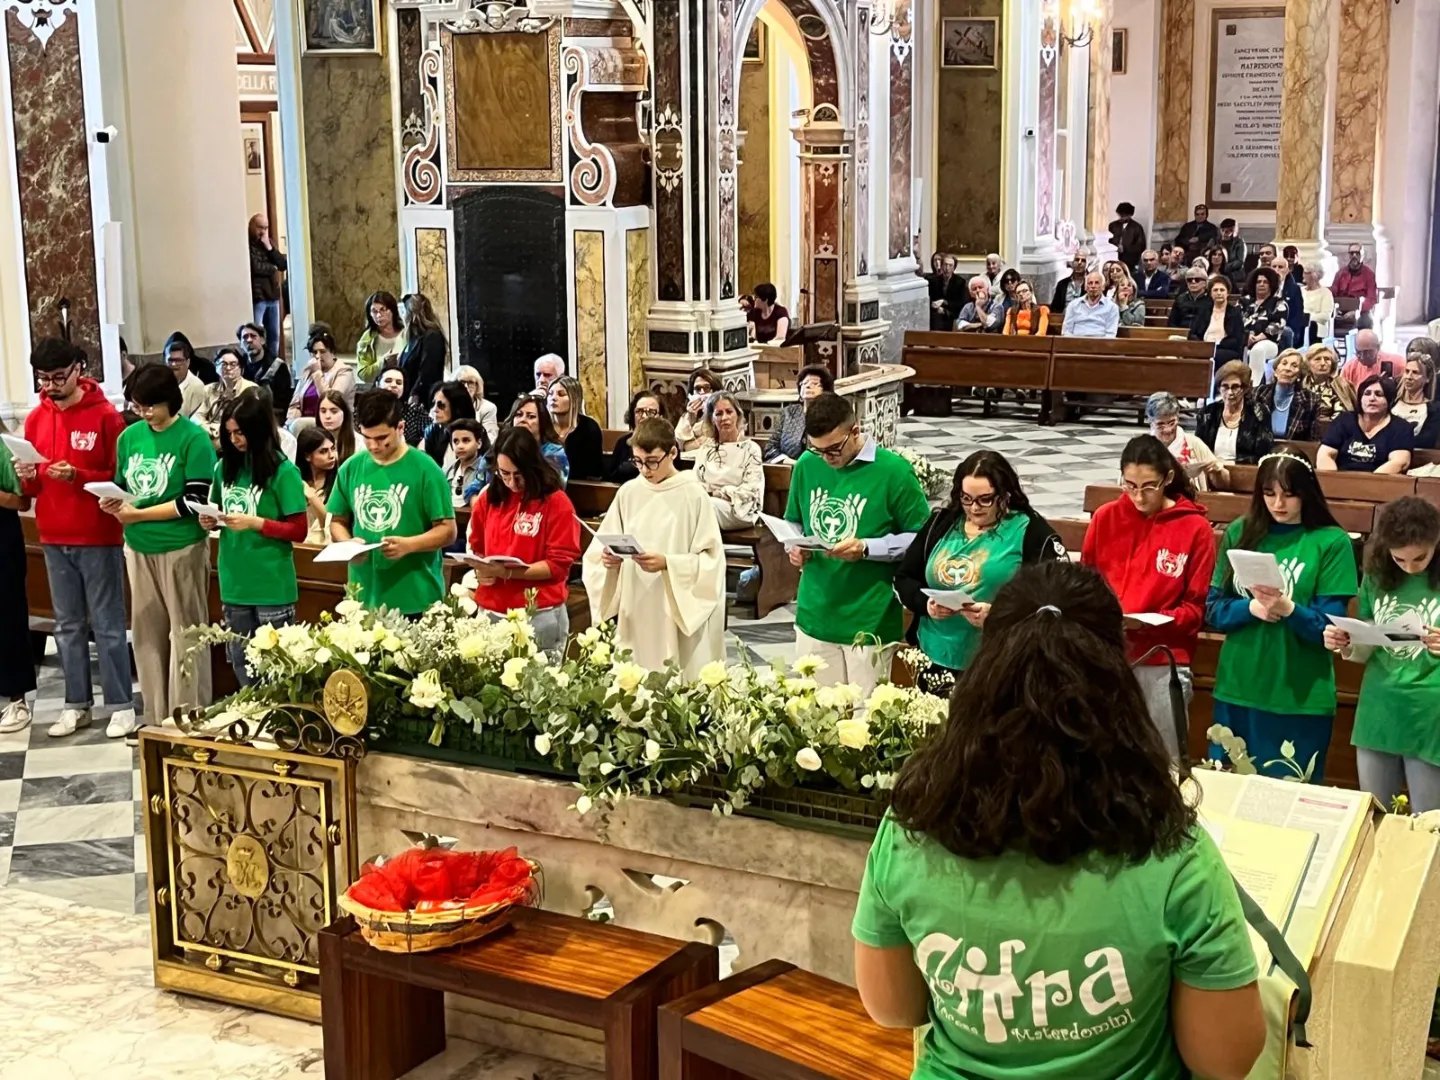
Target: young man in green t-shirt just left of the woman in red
398	499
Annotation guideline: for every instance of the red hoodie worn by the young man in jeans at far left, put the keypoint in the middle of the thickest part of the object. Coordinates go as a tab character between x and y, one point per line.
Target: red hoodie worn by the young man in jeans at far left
83	436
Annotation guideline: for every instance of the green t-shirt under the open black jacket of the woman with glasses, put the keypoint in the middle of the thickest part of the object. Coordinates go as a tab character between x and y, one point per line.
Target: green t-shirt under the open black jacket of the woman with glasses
981	567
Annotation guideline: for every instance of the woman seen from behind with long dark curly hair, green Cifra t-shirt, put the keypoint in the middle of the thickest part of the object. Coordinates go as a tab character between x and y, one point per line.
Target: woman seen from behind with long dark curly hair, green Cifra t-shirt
1039	840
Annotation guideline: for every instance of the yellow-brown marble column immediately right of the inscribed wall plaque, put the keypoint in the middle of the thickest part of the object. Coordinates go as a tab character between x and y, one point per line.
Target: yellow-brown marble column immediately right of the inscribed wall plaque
1300	210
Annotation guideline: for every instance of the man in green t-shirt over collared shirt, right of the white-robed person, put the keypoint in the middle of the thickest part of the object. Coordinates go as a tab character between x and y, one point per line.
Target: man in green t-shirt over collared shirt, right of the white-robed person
868	506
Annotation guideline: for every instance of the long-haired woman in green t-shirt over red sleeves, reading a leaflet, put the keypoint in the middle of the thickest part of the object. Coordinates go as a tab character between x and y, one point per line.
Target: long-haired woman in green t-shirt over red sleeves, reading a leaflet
263	503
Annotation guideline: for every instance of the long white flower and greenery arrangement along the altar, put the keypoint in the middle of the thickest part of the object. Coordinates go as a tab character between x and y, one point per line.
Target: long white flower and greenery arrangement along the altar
618	728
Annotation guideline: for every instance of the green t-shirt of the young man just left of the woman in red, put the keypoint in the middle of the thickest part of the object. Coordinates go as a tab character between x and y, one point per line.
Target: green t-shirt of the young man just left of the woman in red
402	499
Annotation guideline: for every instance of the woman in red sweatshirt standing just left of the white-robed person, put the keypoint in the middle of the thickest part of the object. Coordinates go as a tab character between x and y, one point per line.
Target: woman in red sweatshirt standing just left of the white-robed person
525	516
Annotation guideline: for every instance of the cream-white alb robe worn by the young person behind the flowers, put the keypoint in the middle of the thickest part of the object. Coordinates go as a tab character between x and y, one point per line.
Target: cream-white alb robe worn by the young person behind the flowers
680	611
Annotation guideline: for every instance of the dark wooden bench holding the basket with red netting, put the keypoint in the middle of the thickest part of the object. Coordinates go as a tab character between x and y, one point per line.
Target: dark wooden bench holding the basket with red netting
384	1014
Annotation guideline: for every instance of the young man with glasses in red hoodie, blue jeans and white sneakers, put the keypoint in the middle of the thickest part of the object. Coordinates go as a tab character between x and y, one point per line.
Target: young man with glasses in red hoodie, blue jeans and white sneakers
77	430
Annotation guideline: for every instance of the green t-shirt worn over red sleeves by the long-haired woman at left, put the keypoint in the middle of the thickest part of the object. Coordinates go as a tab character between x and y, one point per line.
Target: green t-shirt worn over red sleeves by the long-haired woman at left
257	570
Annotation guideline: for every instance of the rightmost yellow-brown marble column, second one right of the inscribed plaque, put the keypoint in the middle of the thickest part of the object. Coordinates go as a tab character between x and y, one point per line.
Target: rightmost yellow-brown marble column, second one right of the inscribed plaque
1363	67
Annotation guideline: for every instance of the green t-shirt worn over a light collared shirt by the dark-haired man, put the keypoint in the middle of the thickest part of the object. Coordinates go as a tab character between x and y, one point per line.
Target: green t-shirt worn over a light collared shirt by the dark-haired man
868	499
